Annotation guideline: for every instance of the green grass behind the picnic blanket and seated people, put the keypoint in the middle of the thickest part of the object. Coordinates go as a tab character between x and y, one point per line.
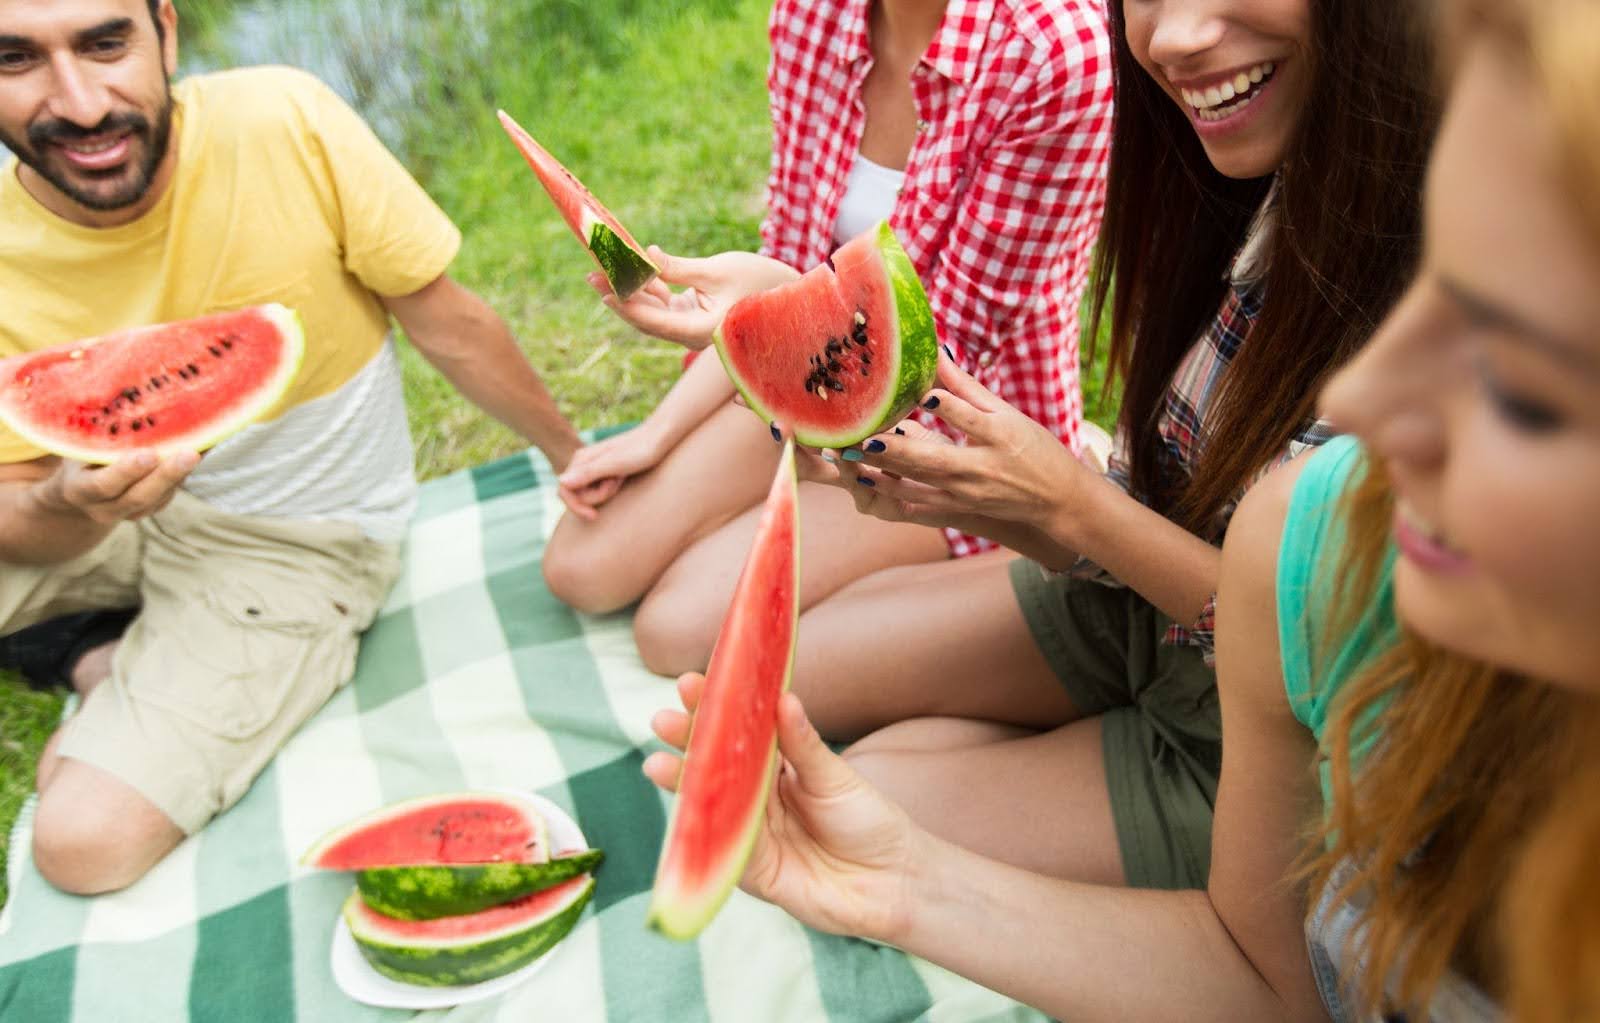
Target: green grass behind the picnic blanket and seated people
658	105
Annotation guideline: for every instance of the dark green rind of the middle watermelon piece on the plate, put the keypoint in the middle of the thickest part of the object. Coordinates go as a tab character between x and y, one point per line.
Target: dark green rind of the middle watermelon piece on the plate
431	893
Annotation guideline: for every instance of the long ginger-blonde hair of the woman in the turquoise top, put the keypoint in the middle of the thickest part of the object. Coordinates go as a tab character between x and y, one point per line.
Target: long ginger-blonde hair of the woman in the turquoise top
1476	820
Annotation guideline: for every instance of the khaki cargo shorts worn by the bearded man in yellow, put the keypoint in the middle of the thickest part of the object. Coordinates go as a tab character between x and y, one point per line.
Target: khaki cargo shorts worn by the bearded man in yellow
246	628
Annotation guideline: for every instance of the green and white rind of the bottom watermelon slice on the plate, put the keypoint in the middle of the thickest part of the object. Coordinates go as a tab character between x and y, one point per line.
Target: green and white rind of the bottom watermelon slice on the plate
471	961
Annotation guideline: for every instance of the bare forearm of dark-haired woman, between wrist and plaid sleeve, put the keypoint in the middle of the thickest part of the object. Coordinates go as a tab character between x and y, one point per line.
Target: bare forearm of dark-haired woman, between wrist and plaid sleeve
1161	561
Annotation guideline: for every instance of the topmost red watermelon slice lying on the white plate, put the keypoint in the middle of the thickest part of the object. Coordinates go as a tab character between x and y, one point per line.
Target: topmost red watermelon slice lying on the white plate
438	832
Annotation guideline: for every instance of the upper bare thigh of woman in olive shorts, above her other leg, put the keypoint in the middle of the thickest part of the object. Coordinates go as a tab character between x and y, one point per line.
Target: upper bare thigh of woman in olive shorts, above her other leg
942	640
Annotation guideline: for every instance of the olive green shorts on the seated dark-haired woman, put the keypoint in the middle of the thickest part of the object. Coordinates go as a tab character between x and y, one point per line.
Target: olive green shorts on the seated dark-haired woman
1162	731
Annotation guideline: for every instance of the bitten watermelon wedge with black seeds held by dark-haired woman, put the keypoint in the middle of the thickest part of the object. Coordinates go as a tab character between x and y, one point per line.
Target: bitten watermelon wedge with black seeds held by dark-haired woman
842	353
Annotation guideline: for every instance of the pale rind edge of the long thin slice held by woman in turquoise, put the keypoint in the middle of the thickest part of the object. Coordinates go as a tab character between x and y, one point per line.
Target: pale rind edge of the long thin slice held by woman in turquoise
678	910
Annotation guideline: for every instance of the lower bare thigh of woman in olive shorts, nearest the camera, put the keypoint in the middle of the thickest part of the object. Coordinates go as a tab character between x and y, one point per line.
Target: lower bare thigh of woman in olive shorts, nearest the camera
1038	801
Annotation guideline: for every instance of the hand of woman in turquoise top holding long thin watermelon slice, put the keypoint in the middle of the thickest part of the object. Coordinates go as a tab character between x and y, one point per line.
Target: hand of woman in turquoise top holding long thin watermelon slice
831	851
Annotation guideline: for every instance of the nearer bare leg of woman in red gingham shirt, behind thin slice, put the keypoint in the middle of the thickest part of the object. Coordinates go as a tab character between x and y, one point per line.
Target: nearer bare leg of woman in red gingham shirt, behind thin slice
679	620
